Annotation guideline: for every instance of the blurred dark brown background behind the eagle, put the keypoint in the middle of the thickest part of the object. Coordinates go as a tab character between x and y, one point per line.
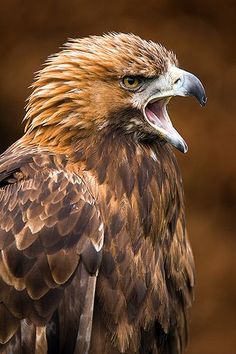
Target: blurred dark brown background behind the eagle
201	33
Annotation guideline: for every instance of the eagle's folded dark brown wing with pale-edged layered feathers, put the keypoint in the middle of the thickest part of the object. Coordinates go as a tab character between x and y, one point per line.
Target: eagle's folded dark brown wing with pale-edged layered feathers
50	233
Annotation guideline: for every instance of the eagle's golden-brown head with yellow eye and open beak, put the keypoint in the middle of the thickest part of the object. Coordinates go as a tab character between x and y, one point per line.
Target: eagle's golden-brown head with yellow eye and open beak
117	82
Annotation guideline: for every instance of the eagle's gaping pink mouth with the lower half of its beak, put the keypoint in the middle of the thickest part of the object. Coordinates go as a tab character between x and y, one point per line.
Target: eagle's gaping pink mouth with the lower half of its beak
156	115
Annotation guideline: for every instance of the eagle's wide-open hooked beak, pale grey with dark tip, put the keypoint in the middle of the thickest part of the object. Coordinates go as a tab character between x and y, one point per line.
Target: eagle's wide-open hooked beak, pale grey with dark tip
176	82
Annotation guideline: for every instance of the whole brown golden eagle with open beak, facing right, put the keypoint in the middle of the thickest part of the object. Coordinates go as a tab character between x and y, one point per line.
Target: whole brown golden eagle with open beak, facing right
95	256
